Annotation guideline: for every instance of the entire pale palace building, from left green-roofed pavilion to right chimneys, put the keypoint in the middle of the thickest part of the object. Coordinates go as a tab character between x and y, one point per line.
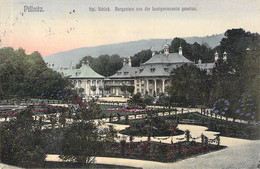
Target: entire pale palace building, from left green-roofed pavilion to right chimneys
151	77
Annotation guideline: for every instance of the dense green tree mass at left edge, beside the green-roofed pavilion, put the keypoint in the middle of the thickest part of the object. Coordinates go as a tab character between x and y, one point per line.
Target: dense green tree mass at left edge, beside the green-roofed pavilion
24	75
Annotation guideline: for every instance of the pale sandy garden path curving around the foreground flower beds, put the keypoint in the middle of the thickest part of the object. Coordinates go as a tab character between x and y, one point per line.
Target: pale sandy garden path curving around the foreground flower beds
240	153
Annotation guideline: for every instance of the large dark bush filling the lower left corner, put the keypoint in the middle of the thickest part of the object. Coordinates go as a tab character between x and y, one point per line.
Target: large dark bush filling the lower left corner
22	142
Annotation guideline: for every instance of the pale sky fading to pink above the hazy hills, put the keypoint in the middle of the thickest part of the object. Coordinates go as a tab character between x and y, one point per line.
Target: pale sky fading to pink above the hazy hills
64	24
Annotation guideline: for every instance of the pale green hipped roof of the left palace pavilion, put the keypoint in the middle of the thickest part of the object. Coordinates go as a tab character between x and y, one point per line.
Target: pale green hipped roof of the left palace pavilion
85	72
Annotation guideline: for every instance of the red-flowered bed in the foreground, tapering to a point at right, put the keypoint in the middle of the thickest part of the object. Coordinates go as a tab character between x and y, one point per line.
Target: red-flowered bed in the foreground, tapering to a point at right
155	151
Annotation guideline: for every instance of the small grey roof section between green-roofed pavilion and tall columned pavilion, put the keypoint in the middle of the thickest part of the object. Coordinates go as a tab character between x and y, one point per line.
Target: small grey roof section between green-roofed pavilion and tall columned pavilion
126	72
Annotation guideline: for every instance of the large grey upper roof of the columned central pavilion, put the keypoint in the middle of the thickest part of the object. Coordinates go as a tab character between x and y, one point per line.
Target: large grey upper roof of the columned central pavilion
171	58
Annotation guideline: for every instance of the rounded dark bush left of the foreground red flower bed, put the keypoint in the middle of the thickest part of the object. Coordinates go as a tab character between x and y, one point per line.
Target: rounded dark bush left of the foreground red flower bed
81	143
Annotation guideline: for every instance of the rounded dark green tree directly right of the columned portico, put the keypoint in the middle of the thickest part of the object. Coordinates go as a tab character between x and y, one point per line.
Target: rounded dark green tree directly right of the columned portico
189	86
